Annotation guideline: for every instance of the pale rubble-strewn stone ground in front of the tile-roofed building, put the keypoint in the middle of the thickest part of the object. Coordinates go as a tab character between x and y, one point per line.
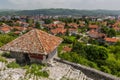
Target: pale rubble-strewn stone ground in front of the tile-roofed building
57	71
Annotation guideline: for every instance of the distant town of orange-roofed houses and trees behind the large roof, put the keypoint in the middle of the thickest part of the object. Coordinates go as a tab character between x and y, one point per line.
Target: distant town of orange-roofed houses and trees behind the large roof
100	29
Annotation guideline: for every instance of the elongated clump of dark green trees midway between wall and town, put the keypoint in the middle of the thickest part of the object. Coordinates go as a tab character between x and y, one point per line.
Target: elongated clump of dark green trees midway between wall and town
91	52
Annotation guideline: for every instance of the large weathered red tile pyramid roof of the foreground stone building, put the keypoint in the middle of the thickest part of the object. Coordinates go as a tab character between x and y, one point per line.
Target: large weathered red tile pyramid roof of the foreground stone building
35	41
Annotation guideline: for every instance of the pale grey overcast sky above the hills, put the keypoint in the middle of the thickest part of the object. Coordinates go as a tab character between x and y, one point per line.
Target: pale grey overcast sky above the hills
71	4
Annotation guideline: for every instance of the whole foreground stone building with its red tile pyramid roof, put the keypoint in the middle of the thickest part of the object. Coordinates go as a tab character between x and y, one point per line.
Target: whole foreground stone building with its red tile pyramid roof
34	46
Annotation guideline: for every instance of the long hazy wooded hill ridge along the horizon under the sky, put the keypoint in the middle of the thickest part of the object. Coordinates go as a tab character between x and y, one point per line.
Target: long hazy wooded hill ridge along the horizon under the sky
60	12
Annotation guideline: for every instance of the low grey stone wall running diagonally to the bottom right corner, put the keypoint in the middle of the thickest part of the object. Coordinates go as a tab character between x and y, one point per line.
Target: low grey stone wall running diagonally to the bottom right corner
90	72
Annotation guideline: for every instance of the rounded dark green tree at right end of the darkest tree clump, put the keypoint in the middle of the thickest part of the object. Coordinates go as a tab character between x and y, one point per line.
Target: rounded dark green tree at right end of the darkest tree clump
96	53
